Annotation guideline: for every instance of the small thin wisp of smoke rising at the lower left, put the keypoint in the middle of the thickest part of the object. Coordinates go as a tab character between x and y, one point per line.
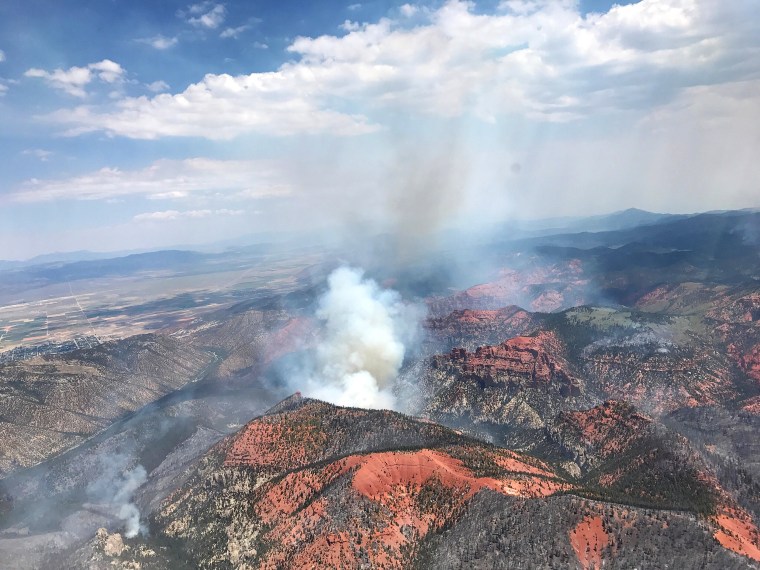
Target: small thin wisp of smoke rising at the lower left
115	488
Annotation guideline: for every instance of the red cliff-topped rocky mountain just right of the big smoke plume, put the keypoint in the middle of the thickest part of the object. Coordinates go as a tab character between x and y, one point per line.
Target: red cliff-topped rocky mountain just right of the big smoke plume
509	390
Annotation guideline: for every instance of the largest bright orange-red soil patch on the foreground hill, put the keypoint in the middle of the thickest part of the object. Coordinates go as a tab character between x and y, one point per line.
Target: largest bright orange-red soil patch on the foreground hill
395	483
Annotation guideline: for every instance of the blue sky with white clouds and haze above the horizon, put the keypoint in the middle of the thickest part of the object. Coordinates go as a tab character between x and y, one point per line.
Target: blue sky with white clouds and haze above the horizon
134	124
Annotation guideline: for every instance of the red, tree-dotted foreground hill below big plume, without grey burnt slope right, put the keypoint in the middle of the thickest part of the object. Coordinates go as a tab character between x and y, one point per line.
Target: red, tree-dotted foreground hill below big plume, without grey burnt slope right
311	484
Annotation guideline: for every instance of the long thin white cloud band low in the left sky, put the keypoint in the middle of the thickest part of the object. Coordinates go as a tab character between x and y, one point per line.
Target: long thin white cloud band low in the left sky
163	179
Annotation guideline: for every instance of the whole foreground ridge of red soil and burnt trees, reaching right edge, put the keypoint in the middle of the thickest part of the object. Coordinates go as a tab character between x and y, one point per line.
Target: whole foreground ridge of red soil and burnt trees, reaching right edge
313	485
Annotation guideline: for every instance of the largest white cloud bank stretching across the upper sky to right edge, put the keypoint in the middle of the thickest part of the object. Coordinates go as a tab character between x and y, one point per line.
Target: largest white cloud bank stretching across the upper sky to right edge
540	60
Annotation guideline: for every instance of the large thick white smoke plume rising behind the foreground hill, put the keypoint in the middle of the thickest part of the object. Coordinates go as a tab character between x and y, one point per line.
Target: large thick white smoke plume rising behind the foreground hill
363	347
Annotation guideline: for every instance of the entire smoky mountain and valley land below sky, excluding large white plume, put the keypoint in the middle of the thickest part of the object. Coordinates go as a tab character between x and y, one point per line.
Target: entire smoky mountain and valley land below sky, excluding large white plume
582	406
